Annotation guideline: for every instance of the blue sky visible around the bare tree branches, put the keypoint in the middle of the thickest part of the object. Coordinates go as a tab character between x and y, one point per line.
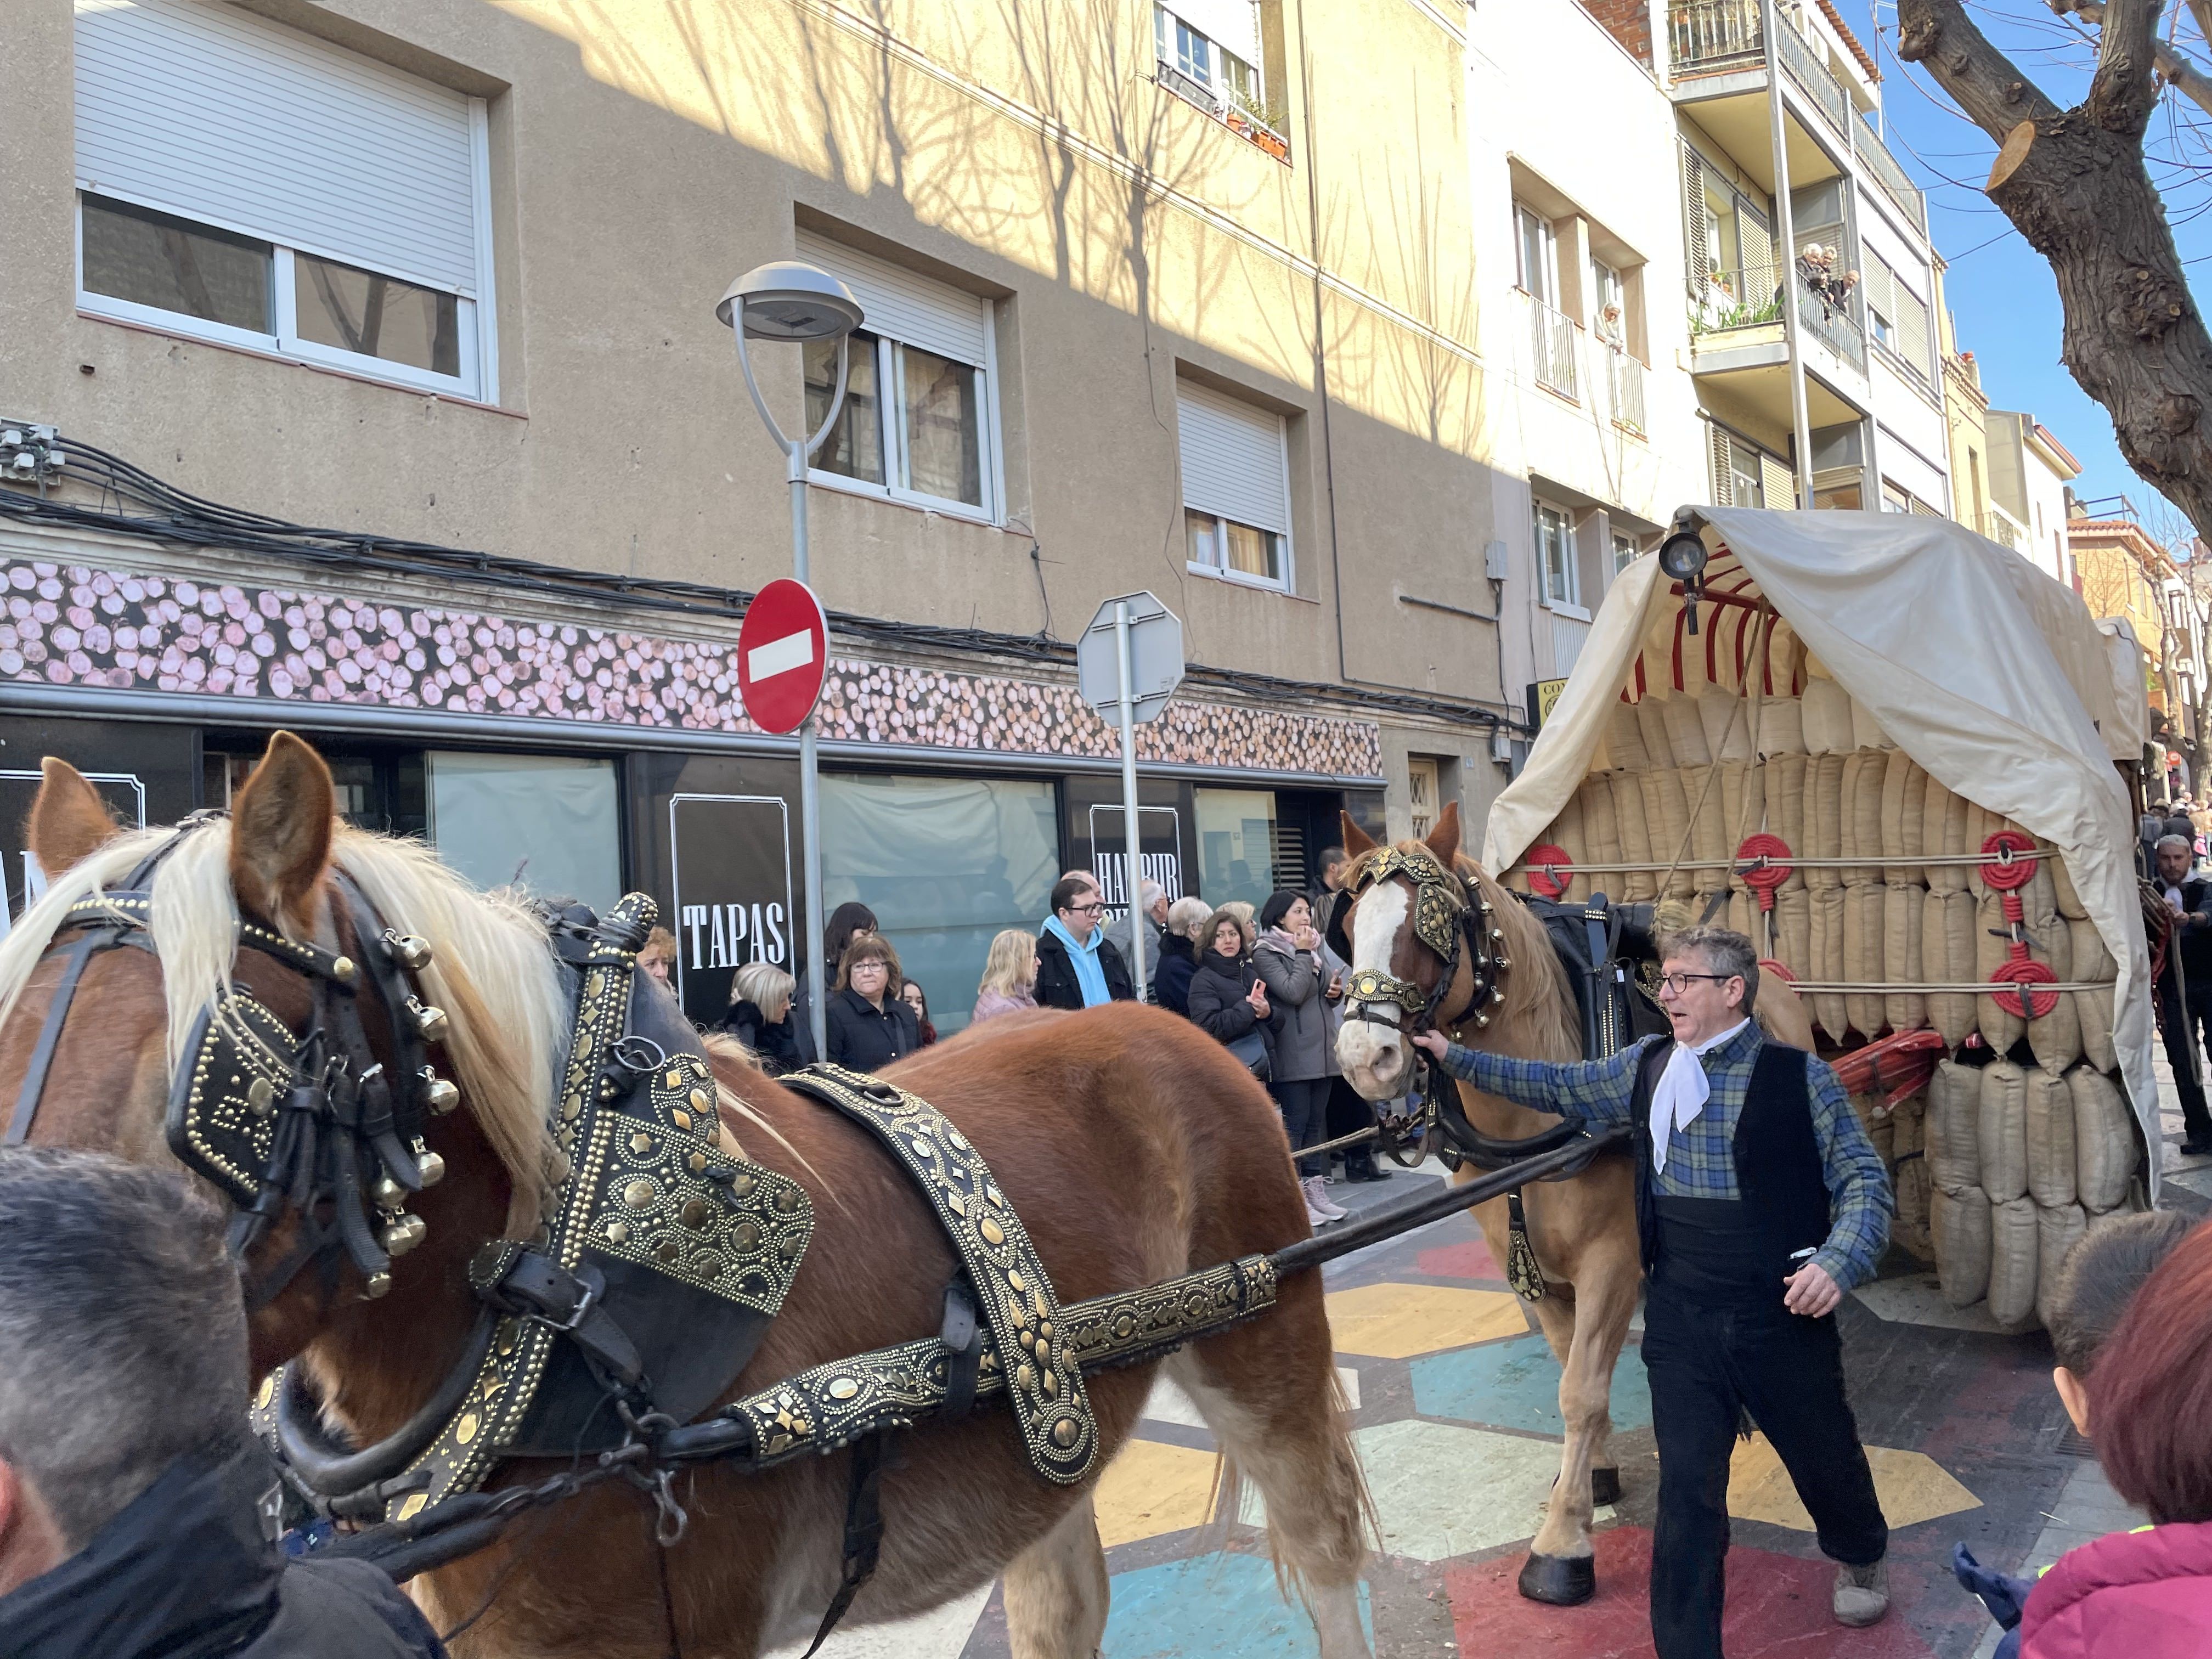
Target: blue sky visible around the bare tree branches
2003	293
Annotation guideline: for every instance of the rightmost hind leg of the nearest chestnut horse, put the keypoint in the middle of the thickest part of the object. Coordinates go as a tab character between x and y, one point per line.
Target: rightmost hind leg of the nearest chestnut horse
1269	1392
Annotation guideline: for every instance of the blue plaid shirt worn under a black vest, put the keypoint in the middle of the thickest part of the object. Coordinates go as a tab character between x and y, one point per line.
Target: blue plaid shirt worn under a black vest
1700	1158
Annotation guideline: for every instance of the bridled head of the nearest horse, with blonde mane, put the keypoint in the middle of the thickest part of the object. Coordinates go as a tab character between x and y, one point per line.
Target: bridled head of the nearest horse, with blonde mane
302	1016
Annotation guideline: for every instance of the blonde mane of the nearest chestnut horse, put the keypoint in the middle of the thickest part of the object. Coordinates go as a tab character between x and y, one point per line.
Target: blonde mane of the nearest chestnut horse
492	970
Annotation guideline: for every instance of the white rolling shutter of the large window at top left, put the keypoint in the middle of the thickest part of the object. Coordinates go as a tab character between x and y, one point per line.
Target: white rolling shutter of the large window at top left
220	116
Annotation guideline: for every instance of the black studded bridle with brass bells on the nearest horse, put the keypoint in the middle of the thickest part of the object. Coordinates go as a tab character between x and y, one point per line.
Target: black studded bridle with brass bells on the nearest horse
284	1123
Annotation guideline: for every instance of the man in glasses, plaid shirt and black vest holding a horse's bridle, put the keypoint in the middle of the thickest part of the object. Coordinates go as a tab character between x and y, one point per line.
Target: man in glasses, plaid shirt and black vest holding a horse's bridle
1760	1204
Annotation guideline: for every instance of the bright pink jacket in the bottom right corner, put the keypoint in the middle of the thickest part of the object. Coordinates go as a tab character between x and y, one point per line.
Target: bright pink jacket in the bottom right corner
2145	1594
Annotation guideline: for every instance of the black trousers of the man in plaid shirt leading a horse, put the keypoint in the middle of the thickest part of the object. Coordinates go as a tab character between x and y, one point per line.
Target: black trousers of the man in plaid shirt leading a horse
1707	1366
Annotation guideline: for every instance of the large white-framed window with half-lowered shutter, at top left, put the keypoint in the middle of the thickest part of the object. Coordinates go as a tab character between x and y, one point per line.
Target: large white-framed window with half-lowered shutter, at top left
346	225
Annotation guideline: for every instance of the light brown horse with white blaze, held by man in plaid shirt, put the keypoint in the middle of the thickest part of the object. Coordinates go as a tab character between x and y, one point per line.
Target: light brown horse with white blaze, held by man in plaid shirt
1583	1231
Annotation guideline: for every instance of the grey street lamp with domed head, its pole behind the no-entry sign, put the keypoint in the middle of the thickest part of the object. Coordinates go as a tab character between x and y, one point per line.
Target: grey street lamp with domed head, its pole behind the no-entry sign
789	302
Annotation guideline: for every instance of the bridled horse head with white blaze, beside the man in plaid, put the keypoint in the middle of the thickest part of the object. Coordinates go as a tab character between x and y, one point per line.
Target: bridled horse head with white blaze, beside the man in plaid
1434	941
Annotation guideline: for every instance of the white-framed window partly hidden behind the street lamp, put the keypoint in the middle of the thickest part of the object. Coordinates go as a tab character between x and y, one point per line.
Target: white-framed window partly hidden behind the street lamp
921	404
